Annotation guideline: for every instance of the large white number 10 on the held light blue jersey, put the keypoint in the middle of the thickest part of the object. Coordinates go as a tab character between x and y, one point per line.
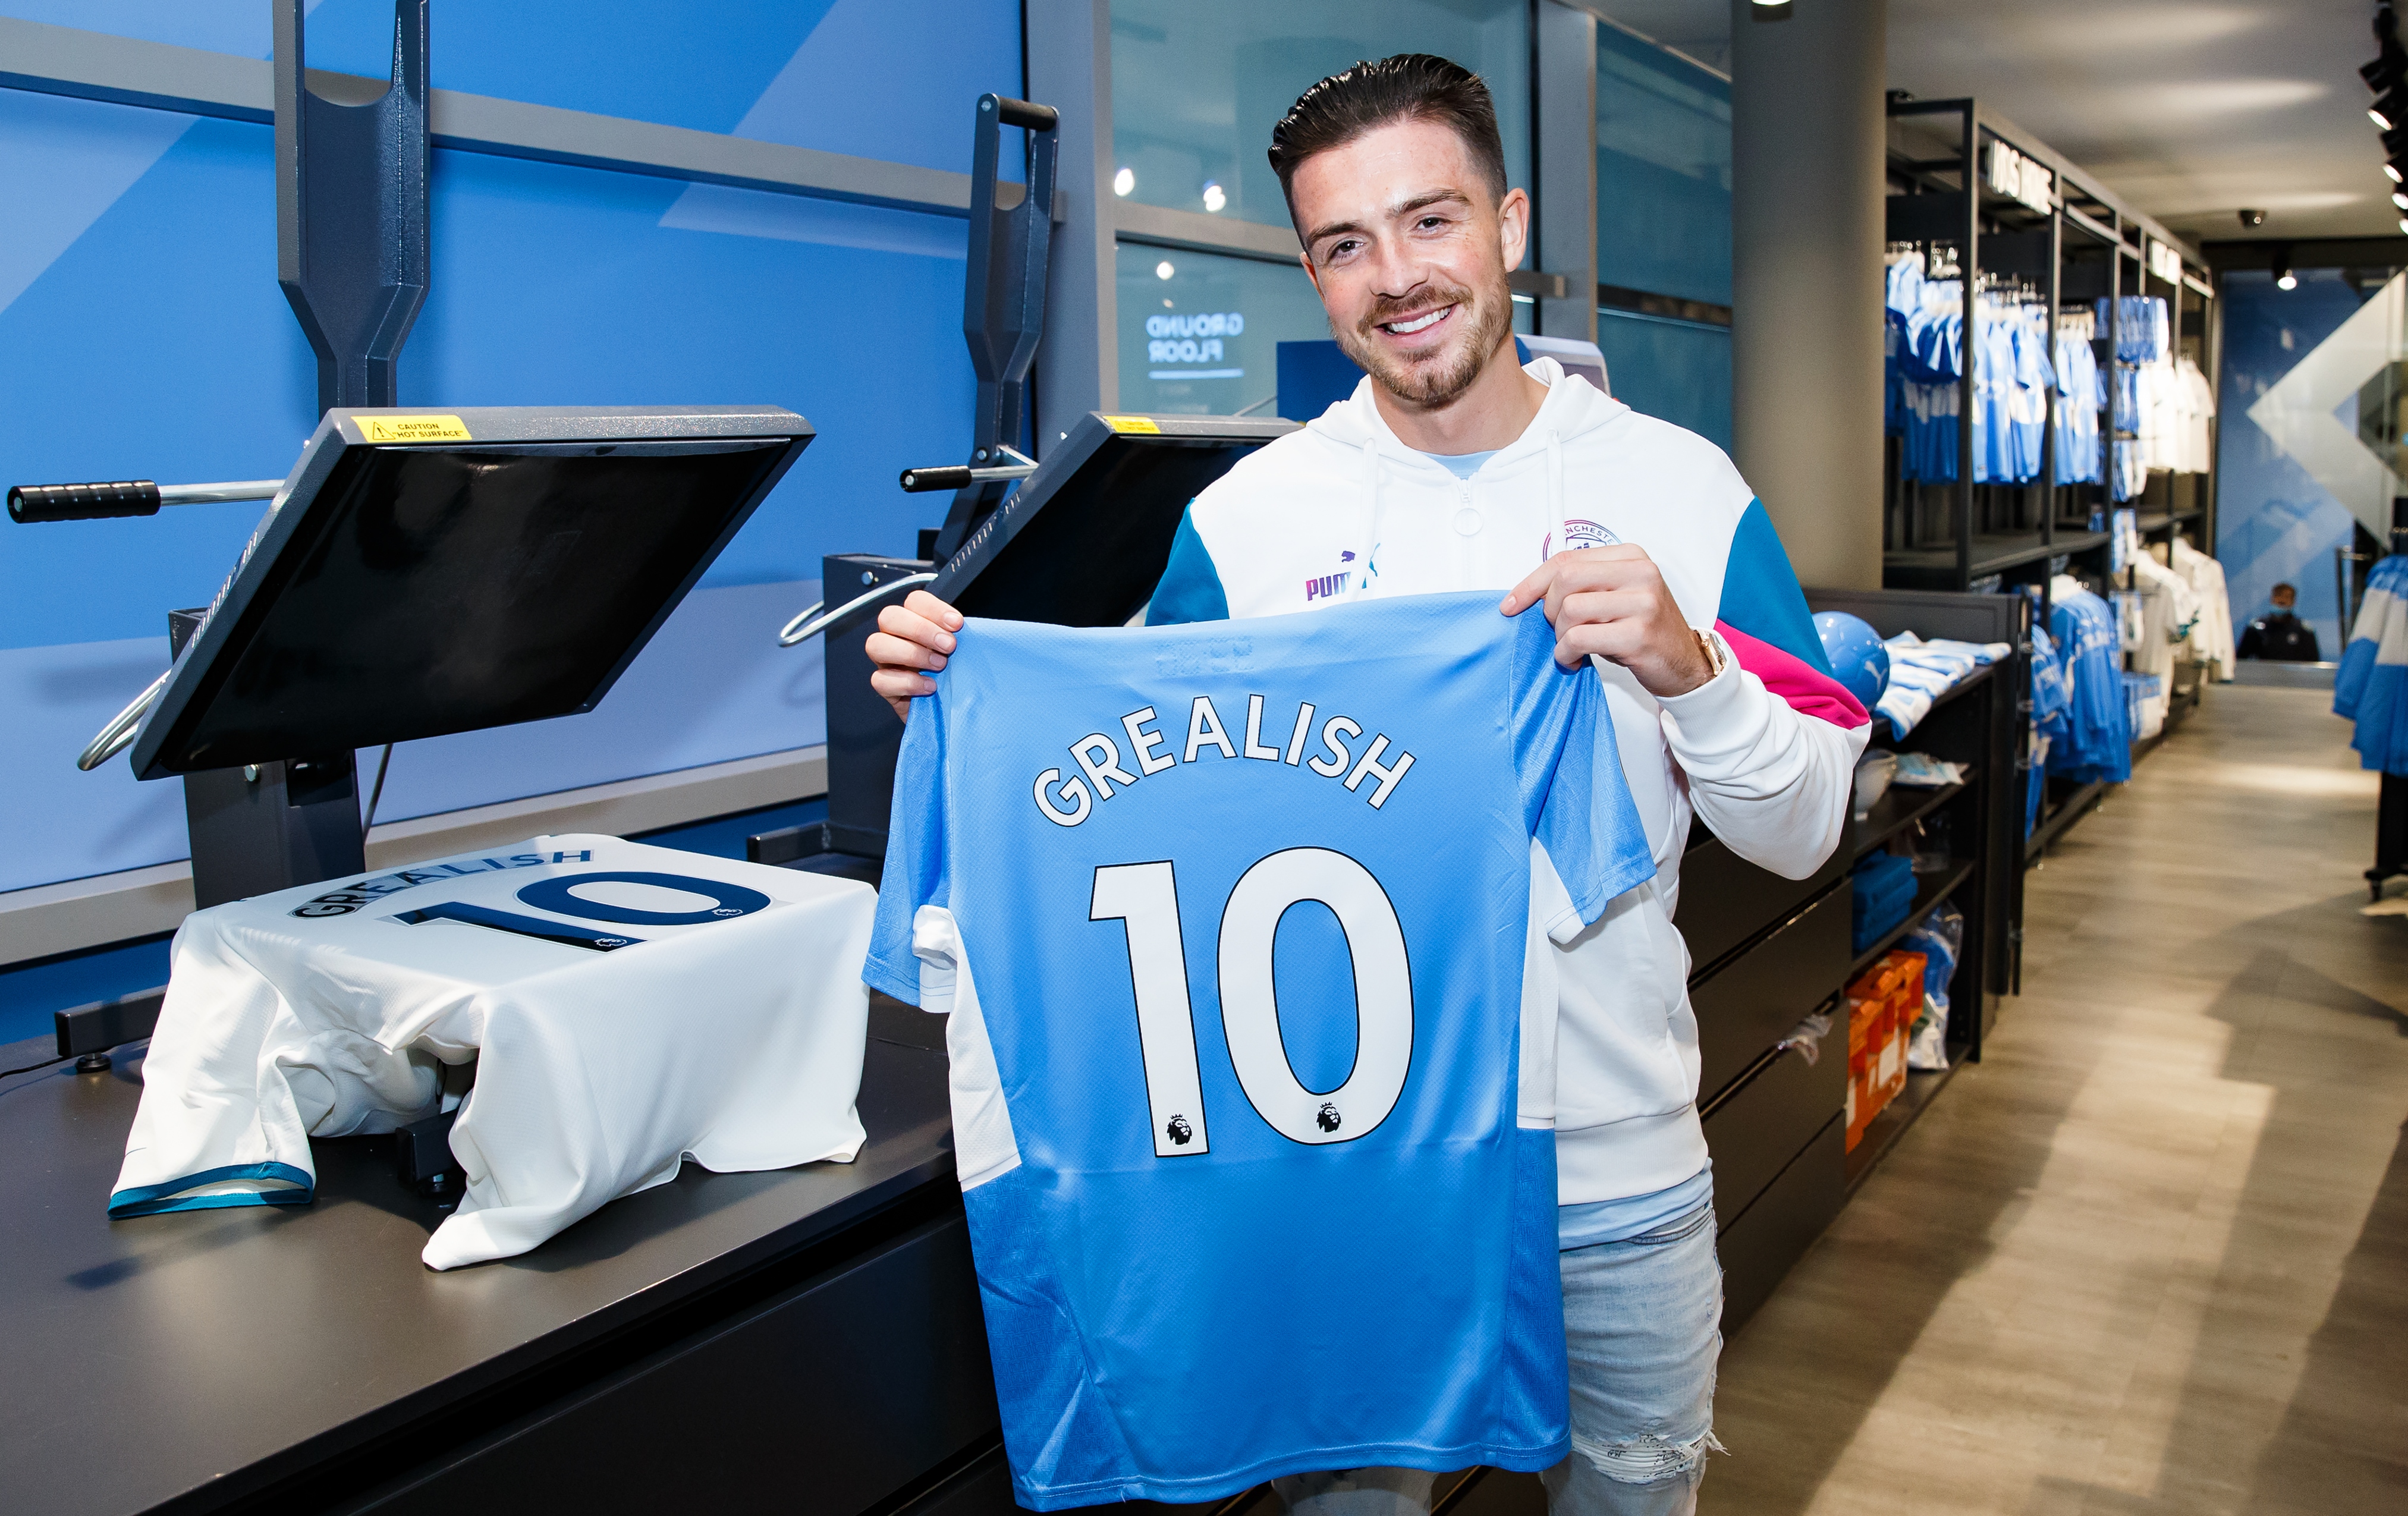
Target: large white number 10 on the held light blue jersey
1145	899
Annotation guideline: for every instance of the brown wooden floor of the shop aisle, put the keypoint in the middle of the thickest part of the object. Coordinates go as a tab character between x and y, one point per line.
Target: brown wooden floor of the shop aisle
2154	1253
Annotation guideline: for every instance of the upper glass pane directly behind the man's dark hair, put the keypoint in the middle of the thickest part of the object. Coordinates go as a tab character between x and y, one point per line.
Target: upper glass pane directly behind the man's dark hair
1198	88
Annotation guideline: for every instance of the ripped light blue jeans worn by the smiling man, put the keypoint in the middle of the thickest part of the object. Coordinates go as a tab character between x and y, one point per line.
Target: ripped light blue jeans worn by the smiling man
1643	1325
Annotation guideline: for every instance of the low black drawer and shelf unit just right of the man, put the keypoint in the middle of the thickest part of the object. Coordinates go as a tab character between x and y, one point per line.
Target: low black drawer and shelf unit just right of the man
1769	952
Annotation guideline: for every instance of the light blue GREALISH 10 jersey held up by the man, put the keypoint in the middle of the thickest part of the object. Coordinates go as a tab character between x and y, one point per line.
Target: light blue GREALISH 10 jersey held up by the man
1251	1098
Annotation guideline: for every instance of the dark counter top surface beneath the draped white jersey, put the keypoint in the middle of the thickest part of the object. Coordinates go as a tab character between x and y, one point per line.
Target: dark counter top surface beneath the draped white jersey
194	1358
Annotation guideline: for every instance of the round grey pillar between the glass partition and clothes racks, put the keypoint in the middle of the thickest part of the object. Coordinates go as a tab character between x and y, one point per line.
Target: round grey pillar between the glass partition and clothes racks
1807	237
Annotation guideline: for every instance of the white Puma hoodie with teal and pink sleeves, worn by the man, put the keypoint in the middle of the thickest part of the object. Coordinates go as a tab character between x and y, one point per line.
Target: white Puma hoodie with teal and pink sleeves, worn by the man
1764	752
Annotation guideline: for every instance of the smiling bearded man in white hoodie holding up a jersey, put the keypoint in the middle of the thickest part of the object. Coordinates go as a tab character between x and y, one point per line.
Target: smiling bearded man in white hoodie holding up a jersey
1453	468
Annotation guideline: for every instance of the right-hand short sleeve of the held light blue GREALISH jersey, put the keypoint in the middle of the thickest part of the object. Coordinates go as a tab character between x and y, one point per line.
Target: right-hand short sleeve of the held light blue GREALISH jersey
1574	805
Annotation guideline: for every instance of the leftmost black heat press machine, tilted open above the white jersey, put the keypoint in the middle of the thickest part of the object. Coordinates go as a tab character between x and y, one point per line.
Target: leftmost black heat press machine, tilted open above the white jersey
420	572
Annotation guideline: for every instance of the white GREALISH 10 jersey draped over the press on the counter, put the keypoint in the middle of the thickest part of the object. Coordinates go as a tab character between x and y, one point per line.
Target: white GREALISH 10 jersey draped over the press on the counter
627	1007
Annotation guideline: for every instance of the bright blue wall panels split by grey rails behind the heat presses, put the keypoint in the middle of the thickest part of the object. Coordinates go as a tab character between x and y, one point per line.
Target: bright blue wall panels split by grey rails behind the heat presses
146	338
